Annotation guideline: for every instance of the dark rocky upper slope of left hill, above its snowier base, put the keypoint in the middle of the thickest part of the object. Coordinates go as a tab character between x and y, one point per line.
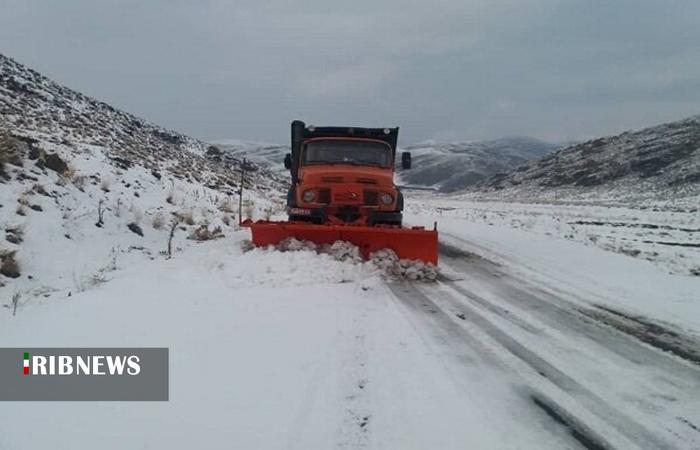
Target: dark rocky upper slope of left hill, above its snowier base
39	111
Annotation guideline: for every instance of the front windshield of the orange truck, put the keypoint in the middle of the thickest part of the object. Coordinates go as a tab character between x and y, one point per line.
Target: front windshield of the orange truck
336	151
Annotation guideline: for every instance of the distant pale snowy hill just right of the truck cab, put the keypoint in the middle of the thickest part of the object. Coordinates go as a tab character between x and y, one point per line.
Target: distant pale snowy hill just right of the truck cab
451	166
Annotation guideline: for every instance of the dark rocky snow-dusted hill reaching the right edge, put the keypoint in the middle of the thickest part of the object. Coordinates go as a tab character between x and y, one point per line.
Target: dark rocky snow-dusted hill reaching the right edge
661	162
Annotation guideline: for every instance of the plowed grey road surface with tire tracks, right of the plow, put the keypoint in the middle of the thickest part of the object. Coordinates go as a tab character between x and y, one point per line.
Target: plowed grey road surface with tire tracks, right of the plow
596	373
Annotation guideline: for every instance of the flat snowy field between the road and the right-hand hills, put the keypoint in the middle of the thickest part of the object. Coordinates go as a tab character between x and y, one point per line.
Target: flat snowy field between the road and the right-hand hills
668	235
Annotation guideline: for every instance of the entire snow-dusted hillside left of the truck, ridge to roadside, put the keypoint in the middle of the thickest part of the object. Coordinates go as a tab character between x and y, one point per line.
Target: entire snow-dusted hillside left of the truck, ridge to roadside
85	187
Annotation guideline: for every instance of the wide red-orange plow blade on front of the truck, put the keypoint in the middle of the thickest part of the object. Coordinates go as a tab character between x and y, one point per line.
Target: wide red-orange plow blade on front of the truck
408	243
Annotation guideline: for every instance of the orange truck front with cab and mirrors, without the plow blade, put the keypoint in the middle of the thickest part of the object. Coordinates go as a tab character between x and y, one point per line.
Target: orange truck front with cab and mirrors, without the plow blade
344	175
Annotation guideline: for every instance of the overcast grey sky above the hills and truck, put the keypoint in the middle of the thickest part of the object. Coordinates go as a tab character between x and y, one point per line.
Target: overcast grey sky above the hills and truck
453	69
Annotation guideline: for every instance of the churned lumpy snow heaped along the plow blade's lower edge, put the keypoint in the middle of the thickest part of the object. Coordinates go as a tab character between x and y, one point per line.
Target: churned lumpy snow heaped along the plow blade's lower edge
385	261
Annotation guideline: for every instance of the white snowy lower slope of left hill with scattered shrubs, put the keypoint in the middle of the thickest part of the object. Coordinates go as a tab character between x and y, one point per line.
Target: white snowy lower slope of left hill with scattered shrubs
65	232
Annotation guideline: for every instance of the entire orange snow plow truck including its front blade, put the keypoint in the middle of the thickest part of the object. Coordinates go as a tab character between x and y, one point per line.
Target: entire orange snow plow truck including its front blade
342	189
